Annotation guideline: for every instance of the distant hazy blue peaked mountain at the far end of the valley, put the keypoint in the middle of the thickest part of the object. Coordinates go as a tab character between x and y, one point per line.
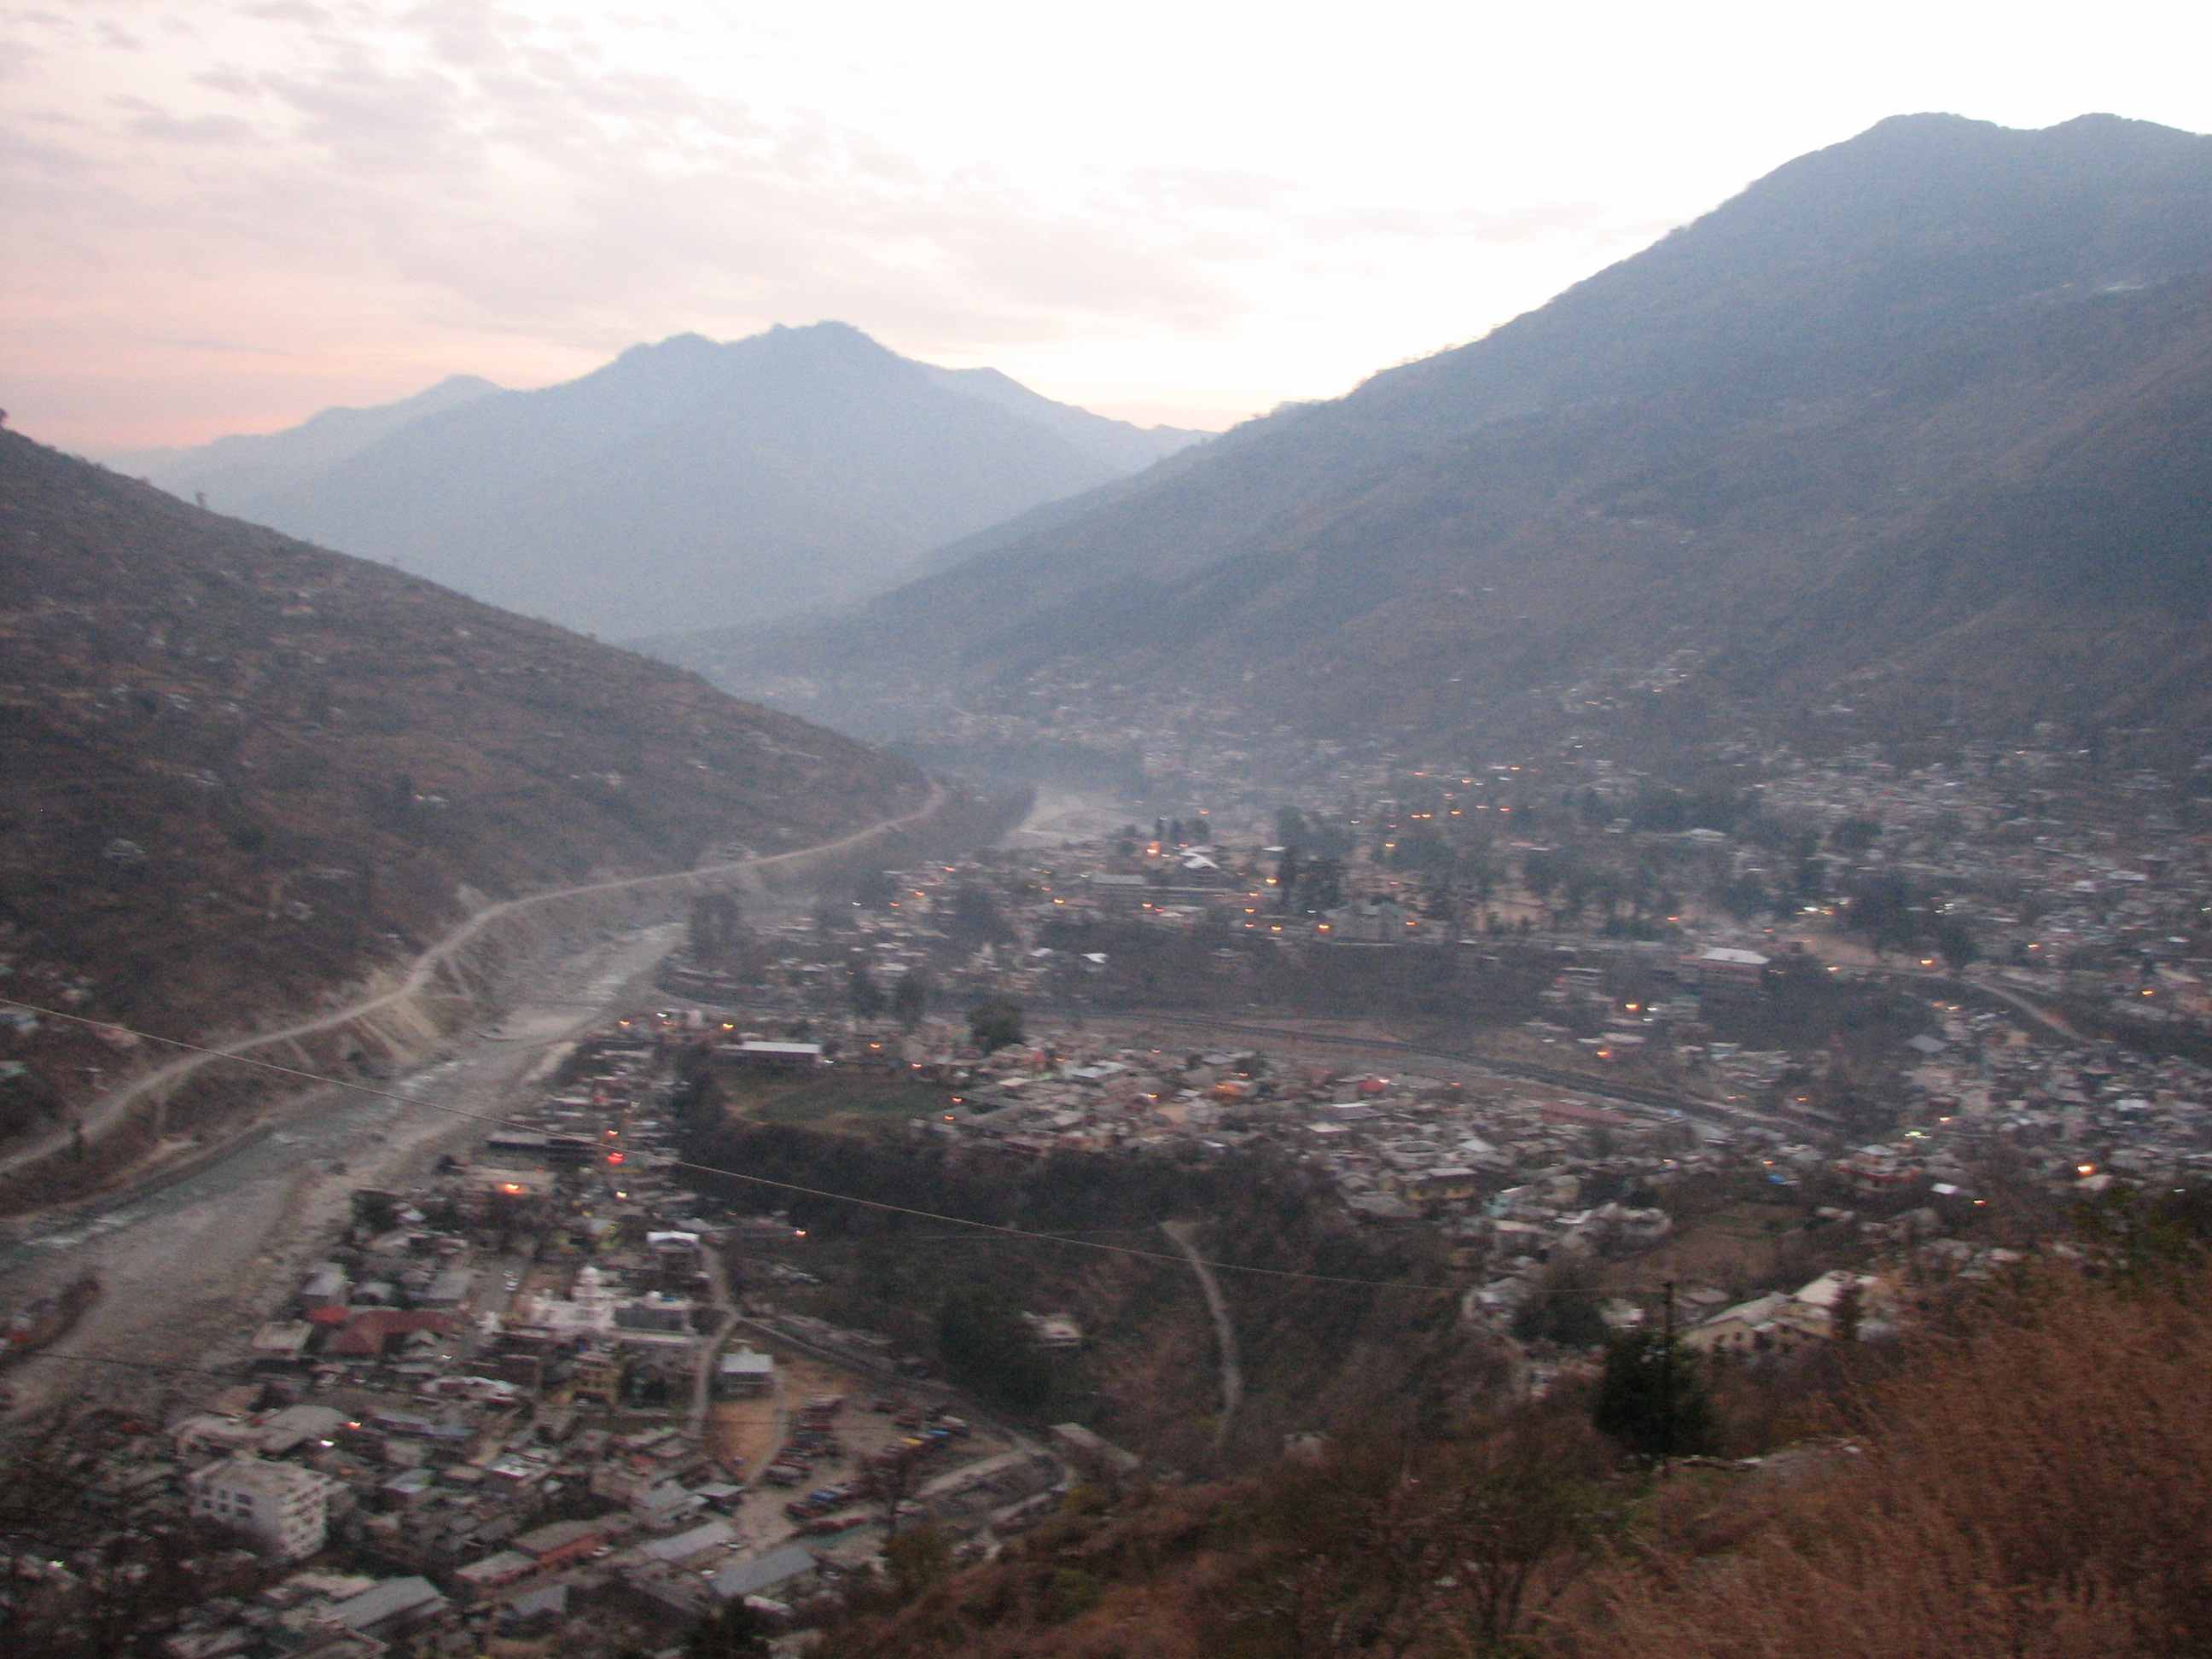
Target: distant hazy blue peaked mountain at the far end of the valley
700	481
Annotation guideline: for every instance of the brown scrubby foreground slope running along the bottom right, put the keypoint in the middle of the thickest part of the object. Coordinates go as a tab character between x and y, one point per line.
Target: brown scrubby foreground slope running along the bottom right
2030	1483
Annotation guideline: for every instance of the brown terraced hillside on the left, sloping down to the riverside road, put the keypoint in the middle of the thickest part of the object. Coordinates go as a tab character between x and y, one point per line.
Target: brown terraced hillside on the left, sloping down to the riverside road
240	771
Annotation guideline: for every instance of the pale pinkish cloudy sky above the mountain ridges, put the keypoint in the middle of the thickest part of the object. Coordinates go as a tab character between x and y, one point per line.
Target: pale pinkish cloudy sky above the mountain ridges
231	213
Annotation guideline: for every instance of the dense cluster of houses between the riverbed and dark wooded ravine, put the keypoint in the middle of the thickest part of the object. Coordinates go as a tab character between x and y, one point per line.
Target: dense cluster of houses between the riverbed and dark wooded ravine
492	1412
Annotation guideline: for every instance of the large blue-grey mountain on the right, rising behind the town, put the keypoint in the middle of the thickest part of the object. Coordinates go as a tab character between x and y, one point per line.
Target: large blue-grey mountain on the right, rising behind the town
1914	432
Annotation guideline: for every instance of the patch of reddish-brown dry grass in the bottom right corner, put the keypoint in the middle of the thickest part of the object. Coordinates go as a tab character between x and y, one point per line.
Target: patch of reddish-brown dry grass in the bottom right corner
2034	1485
